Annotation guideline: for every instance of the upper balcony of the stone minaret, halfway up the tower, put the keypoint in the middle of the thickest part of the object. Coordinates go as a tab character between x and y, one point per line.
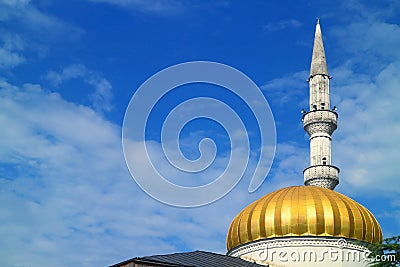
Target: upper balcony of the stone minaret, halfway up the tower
320	121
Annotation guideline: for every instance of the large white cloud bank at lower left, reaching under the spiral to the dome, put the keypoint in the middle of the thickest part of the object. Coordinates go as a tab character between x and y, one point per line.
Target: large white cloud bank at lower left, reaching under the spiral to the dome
65	190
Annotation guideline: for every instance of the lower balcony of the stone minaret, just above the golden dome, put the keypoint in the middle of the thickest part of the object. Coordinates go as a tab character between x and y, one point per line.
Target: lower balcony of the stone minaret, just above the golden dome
317	174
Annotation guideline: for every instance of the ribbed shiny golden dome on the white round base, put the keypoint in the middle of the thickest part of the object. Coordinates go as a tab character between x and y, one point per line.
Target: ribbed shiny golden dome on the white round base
303	211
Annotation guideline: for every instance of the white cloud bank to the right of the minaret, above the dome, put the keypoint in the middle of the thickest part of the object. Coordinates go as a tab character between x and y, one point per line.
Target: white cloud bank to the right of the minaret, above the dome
367	142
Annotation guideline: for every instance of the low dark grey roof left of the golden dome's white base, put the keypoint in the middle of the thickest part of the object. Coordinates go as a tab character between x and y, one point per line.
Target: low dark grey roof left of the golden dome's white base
193	259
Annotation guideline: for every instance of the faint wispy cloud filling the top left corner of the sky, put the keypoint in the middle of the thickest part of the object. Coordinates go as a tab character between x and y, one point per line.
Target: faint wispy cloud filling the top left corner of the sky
28	24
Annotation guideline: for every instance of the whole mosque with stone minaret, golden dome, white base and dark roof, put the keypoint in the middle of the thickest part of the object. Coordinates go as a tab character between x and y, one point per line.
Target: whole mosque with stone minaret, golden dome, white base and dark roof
310	225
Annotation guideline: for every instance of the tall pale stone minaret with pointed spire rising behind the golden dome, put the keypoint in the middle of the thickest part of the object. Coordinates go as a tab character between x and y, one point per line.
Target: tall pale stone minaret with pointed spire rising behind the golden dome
320	121
